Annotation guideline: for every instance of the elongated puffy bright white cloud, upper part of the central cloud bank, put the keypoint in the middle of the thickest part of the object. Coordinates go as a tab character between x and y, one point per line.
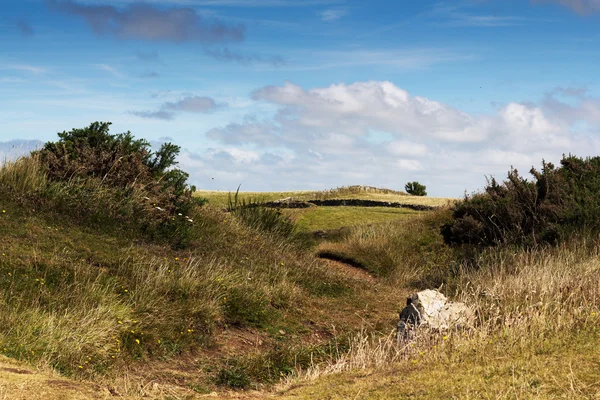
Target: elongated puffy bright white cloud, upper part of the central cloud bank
361	106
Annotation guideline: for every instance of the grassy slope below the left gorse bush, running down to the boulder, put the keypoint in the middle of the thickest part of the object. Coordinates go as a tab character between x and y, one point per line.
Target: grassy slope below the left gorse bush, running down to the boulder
105	286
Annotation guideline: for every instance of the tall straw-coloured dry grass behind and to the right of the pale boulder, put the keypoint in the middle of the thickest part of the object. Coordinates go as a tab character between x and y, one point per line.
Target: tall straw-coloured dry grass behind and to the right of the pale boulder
526	303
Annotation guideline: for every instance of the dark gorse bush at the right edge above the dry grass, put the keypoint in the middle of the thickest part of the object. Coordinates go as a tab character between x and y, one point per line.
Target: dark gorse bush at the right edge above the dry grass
546	209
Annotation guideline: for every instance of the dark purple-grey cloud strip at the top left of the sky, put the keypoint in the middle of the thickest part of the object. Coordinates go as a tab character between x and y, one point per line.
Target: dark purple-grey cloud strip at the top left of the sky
145	22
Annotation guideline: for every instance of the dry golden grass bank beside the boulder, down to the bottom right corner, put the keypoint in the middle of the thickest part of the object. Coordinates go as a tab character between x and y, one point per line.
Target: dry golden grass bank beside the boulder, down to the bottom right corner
535	336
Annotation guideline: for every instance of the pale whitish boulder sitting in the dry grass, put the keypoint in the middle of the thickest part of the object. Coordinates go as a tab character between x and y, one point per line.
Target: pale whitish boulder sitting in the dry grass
431	309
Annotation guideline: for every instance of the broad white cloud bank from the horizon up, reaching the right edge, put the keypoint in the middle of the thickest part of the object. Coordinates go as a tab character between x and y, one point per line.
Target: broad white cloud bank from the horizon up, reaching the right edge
323	137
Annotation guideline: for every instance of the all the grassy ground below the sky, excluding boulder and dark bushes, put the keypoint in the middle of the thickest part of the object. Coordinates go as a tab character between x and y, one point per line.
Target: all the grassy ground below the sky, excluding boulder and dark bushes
109	290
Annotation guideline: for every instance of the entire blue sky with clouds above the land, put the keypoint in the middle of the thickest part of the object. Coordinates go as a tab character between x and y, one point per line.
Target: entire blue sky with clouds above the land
277	95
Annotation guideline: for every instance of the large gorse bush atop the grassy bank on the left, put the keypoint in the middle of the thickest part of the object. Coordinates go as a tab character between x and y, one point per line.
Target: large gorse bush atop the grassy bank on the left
109	181
